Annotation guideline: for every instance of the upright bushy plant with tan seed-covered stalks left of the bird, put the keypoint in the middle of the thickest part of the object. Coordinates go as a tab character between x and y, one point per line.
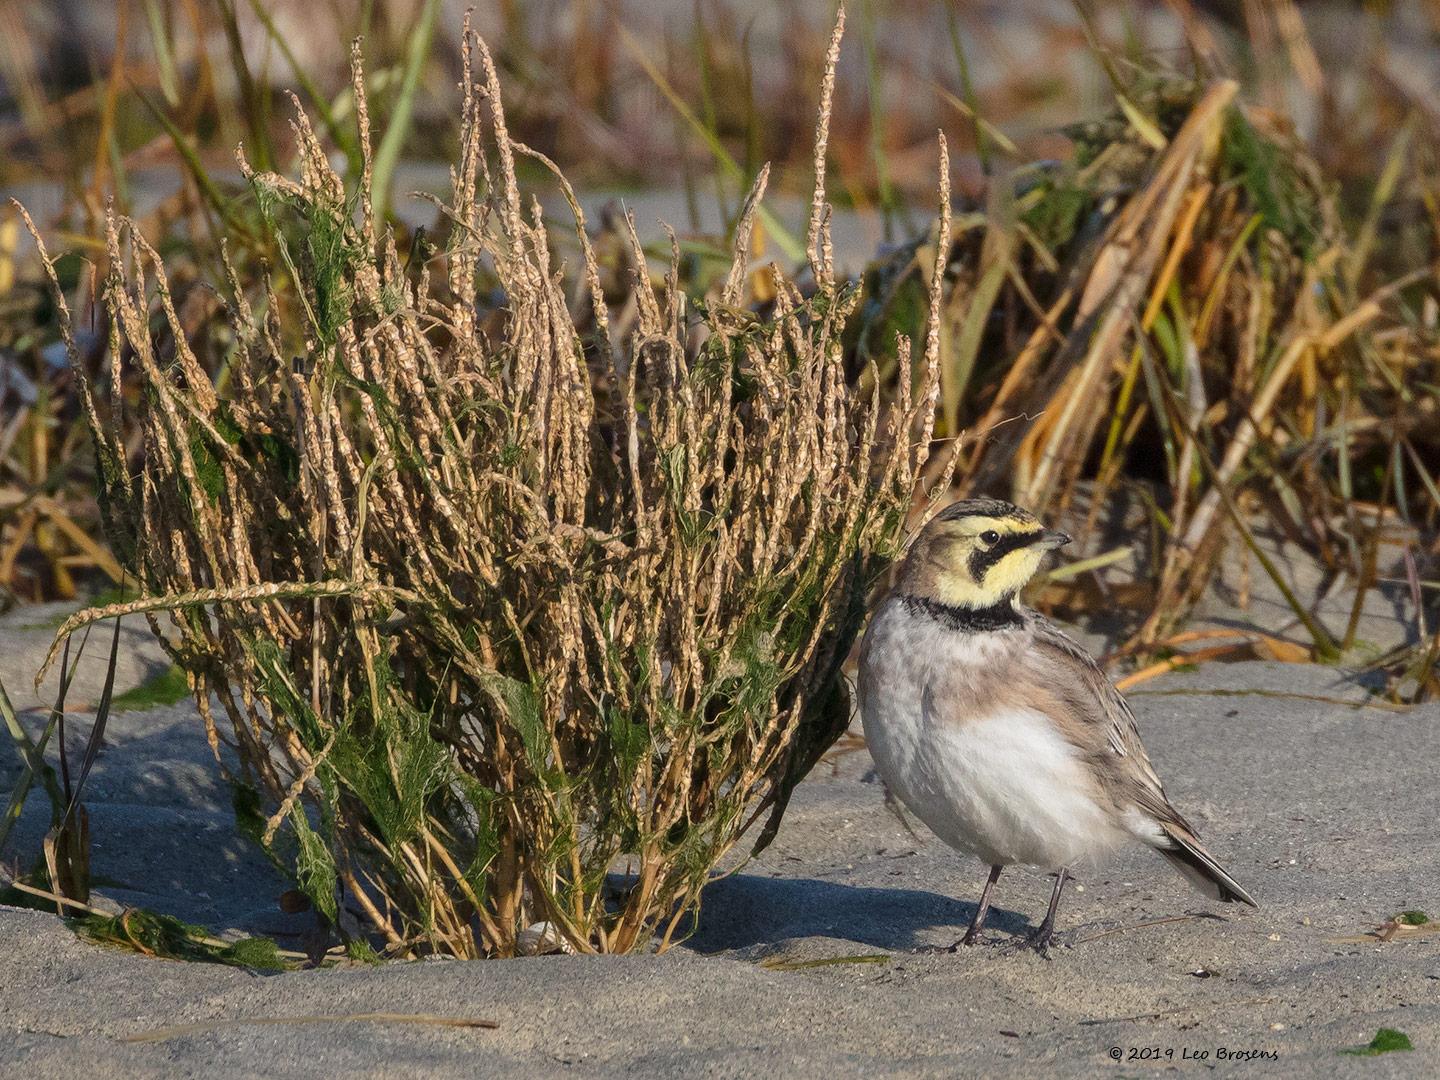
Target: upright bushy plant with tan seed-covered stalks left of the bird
510	626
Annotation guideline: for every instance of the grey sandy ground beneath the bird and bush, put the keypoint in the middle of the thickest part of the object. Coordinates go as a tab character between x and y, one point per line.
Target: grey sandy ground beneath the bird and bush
1320	801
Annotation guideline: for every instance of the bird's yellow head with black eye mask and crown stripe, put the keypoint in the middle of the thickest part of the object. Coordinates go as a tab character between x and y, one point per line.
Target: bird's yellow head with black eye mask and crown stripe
977	554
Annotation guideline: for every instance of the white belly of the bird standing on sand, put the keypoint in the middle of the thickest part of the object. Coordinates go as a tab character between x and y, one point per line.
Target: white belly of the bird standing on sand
1004	787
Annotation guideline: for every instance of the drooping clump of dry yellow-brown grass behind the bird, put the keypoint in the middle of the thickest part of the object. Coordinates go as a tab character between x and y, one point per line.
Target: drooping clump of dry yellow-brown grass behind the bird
1183	319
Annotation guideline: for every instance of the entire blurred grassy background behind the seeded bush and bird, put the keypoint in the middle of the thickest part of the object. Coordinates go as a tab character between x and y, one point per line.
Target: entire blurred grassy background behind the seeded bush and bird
1272	371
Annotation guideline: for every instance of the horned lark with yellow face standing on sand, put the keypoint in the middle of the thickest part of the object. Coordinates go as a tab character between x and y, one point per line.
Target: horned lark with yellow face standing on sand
1000	732
